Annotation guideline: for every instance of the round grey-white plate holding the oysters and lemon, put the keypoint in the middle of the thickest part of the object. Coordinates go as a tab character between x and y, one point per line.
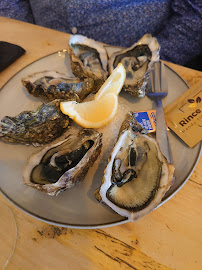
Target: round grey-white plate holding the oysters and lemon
77	206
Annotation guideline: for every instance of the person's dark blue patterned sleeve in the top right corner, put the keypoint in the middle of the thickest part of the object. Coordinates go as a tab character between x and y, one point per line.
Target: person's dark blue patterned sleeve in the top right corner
181	38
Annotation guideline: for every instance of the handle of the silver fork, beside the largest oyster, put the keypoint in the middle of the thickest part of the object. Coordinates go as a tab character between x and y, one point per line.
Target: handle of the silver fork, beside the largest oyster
161	132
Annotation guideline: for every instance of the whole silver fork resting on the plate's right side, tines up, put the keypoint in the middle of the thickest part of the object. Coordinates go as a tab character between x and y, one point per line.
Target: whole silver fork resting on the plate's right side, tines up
157	91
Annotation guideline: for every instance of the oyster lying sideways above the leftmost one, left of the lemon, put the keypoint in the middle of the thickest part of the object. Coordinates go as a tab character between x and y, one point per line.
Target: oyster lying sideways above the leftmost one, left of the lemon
54	85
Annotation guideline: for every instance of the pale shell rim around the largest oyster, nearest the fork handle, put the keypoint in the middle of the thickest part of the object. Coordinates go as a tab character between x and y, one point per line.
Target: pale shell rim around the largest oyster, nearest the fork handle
165	180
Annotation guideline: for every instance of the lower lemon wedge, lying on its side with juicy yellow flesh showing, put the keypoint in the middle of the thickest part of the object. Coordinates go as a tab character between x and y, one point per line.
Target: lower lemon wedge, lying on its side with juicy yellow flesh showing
92	114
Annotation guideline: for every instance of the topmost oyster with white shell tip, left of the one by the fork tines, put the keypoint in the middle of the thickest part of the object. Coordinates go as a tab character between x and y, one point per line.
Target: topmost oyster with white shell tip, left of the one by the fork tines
88	58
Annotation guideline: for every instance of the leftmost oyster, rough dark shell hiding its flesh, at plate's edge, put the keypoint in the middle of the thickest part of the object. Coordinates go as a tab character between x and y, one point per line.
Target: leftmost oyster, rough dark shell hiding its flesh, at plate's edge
40	126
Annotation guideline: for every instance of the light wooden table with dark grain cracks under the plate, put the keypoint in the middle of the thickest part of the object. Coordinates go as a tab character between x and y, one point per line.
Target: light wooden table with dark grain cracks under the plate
168	238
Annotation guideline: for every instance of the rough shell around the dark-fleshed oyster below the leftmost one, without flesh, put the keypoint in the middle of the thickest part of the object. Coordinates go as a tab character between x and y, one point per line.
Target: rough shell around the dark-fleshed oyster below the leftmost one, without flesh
75	174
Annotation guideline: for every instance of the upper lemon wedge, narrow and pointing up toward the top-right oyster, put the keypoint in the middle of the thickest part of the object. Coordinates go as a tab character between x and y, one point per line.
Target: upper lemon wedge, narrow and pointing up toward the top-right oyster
114	83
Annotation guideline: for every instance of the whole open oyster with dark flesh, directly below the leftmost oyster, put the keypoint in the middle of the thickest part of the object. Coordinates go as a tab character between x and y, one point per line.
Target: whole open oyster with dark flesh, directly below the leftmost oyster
61	165
